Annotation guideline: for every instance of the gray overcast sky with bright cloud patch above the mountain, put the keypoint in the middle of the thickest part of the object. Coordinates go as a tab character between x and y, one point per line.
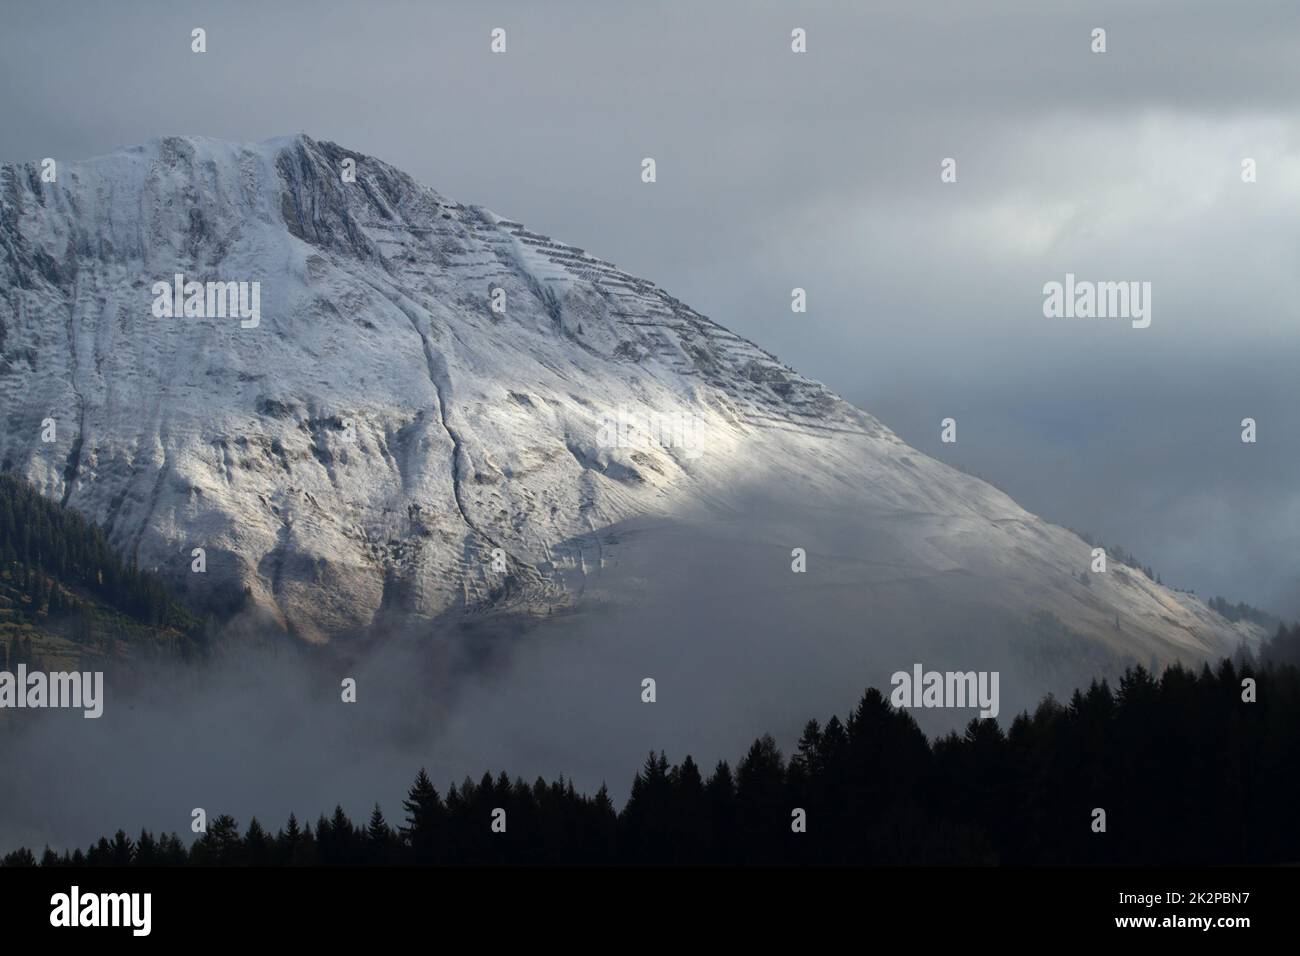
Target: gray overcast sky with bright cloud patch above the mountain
822	171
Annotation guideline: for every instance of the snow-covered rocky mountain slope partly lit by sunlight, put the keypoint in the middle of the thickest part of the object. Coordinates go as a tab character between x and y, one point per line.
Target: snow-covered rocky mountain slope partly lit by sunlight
428	397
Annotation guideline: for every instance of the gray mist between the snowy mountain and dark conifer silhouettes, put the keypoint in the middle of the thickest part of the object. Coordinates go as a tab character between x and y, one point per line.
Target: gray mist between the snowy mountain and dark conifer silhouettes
738	646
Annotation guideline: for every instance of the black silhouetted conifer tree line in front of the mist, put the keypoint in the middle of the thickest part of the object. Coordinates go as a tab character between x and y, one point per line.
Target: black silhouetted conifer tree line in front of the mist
1188	771
